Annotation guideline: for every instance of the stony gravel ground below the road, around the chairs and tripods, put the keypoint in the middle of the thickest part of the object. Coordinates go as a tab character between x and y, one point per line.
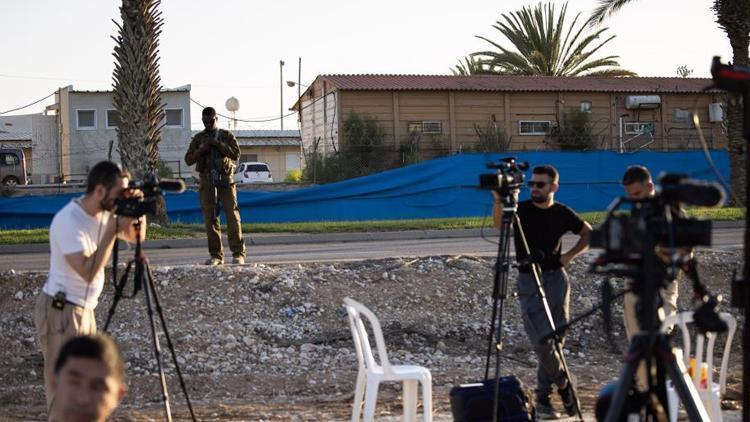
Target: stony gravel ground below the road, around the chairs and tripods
271	342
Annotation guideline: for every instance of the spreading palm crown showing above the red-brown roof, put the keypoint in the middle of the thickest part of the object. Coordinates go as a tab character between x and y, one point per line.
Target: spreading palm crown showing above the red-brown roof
545	47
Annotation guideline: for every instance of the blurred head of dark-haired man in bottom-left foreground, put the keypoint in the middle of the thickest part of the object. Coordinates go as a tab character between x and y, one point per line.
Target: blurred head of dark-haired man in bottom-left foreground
89	379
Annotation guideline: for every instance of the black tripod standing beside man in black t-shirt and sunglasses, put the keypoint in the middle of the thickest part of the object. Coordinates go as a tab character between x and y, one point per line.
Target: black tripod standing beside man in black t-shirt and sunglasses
499	293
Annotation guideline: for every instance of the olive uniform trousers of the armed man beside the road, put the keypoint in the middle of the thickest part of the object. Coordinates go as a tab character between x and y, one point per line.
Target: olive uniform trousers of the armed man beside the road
228	198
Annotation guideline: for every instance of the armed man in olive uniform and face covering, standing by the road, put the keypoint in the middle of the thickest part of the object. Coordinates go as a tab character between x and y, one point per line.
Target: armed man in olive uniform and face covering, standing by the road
213	151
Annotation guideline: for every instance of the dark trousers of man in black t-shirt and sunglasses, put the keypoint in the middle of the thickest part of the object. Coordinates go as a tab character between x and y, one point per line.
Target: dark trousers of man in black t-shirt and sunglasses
557	289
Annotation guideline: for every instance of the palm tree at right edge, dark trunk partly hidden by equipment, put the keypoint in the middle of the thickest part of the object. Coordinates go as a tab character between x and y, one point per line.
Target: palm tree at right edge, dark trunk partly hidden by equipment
733	16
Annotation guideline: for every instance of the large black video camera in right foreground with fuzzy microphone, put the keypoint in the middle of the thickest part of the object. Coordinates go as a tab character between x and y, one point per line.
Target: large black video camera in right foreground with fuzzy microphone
621	235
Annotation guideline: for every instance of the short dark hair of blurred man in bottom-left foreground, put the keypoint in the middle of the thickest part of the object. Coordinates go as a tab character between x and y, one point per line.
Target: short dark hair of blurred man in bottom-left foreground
100	347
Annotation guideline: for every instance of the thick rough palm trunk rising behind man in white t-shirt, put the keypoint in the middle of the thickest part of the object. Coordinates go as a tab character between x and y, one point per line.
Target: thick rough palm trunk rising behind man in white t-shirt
137	88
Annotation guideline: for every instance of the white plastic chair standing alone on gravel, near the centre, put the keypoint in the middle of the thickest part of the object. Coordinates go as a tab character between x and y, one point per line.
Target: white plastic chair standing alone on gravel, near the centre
372	373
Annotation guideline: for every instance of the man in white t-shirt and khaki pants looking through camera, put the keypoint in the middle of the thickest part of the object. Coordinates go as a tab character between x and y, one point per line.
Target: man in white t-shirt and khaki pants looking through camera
81	238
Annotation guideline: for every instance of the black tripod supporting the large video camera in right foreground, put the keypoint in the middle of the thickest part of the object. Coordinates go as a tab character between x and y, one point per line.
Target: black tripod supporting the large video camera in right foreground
651	346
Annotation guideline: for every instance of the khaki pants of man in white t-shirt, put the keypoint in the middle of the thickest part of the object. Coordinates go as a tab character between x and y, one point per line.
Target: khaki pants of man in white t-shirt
53	328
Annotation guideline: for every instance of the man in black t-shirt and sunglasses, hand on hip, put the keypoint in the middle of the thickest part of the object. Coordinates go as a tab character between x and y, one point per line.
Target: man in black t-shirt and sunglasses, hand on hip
544	222
